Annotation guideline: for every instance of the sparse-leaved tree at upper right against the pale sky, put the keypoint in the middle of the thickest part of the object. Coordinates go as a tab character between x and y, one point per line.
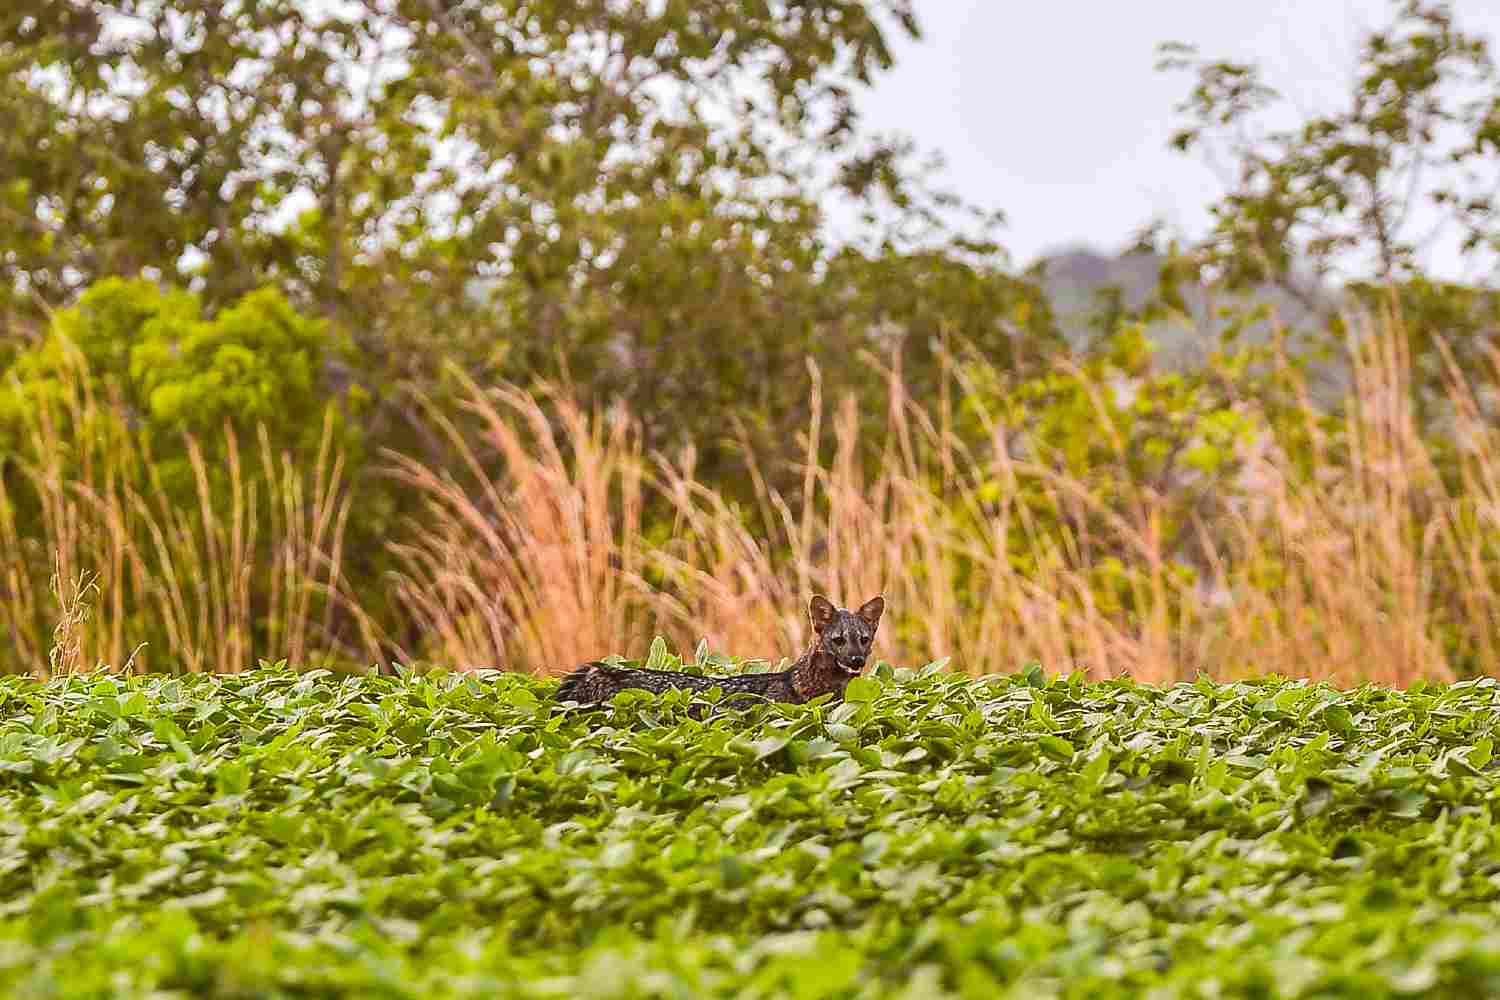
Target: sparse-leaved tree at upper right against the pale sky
1354	202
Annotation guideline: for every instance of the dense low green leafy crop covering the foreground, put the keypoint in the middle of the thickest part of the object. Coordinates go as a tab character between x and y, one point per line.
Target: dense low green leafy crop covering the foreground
281	834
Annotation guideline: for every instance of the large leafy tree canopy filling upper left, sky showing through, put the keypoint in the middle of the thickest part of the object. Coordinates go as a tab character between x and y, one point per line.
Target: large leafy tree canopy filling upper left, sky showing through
628	196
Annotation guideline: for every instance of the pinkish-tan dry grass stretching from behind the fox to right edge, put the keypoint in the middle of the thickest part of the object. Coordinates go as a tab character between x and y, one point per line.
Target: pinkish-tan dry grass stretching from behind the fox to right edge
1369	569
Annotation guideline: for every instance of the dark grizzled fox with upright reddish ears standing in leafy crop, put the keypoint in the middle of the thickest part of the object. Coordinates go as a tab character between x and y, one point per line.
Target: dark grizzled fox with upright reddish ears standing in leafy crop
839	653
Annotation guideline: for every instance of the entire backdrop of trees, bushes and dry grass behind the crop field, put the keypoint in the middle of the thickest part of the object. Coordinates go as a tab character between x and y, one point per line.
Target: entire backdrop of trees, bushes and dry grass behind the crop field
505	334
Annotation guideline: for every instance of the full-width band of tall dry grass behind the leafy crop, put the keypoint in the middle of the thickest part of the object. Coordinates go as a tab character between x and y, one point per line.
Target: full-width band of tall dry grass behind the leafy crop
1366	555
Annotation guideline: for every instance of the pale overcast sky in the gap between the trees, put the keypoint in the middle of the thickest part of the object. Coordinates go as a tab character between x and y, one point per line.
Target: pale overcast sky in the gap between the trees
1054	113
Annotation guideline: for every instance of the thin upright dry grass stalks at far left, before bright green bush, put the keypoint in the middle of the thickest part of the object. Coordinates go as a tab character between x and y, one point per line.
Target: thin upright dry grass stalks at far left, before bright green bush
248	569
